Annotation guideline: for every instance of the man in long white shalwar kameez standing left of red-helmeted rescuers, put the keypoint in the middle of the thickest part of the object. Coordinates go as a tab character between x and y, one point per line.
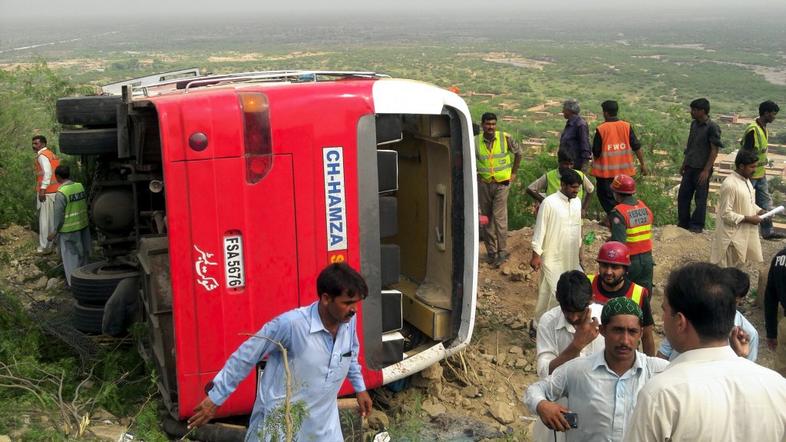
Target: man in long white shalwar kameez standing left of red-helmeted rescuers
556	242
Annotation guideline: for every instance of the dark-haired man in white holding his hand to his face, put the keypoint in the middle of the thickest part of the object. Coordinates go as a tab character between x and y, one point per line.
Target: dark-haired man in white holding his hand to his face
566	332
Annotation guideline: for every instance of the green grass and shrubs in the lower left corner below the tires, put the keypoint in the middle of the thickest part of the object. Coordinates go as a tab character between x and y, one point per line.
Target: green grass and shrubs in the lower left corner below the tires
40	374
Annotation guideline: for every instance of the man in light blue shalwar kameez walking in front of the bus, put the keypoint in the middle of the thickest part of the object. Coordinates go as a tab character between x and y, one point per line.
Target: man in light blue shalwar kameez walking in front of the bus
322	350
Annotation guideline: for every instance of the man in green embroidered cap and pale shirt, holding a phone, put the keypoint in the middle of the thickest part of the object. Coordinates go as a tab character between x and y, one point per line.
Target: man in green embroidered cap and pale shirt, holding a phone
601	388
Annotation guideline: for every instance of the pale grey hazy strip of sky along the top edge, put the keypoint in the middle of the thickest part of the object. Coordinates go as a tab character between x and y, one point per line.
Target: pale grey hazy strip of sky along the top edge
76	9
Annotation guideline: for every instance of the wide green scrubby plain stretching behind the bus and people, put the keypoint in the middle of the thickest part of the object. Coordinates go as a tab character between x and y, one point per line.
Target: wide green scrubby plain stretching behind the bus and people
653	76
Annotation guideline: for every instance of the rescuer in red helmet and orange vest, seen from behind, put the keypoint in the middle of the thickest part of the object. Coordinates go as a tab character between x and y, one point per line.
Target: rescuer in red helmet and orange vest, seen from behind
631	224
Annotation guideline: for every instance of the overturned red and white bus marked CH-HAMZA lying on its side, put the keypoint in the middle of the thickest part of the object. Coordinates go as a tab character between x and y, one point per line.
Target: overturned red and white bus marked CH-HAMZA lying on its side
229	193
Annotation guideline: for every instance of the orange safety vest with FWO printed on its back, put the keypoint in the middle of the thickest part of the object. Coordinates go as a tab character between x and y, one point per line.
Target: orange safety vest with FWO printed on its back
616	155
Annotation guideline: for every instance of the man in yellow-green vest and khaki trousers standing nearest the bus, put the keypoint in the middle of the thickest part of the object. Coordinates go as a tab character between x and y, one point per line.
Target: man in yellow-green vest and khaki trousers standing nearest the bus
498	158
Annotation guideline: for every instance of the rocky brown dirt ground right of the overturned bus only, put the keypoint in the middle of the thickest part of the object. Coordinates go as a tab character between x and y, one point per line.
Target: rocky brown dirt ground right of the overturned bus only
478	396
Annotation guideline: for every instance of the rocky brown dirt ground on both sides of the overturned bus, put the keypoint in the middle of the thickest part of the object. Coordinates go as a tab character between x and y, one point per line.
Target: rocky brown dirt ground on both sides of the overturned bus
475	395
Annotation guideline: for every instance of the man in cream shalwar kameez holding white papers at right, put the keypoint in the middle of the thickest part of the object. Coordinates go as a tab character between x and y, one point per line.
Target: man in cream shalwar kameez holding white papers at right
736	239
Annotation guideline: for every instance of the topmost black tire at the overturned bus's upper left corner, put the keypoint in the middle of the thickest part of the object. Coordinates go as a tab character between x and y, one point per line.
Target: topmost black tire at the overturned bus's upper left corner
99	110
